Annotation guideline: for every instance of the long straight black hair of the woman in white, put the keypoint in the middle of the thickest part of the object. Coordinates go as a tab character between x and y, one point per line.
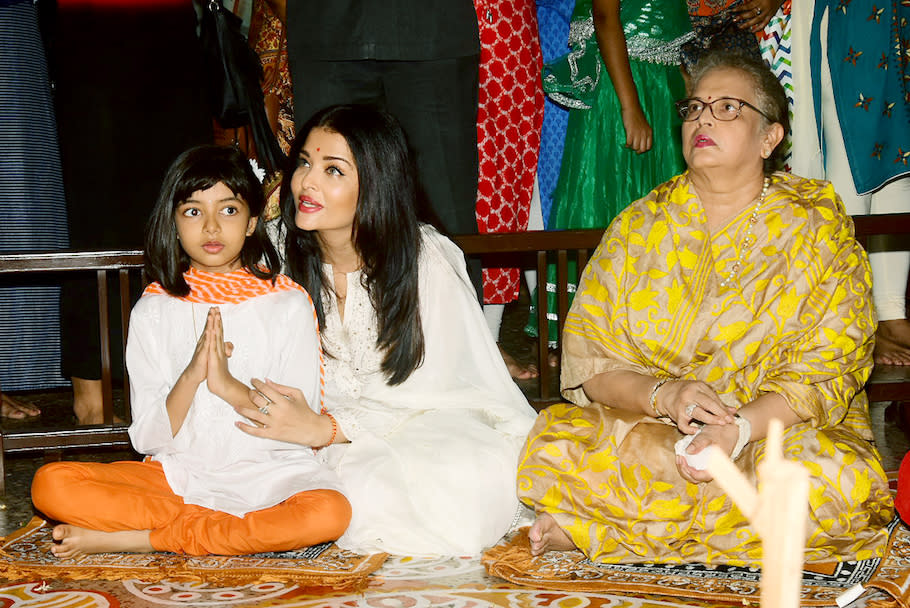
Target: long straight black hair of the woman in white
385	234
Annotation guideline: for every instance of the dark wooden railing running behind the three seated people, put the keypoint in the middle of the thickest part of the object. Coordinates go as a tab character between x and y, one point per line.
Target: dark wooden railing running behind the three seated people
529	250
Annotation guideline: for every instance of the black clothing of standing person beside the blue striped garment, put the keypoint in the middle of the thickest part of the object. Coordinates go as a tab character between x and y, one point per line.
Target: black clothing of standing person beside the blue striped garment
129	99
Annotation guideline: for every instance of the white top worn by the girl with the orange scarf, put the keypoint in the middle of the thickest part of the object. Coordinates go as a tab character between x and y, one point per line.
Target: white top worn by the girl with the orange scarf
210	462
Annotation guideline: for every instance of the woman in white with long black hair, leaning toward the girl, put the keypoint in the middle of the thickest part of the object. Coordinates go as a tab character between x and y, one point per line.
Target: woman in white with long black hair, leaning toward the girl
426	421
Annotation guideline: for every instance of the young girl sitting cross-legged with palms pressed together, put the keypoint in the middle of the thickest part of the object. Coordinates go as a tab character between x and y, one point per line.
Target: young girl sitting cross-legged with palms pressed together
212	320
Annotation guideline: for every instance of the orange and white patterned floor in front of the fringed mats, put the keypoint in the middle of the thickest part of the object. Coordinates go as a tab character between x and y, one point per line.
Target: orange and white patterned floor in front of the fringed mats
401	582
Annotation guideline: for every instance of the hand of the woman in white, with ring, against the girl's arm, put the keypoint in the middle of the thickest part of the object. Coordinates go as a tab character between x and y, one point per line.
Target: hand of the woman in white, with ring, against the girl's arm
281	413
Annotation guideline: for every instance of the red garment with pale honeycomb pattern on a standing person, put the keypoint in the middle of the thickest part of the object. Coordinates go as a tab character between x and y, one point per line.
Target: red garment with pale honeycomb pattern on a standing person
509	118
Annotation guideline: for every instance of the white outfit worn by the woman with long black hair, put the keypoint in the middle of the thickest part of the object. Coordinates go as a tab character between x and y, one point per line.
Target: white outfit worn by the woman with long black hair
432	462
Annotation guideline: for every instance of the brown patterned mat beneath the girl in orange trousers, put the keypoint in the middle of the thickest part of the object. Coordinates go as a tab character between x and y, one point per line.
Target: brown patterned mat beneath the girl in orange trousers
26	554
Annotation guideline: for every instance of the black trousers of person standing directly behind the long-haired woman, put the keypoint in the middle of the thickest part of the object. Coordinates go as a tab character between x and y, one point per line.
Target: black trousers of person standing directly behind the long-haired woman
436	103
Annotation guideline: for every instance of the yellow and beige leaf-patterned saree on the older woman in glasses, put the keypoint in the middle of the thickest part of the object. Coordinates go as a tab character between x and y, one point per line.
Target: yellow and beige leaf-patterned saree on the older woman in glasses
795	318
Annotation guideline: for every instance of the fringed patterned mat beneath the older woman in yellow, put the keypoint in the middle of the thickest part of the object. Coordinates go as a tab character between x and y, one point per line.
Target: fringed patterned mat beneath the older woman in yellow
572	571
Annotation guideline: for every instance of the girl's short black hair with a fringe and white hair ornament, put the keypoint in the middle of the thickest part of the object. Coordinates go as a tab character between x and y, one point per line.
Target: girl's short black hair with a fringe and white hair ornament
200	168
